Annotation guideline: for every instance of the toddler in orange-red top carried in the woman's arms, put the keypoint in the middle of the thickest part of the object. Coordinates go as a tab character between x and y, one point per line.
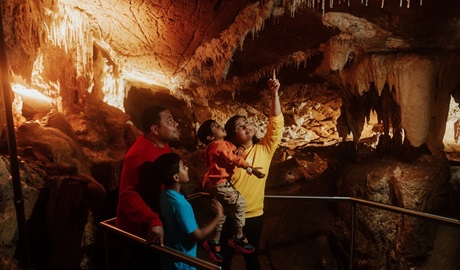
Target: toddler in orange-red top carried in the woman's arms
221	157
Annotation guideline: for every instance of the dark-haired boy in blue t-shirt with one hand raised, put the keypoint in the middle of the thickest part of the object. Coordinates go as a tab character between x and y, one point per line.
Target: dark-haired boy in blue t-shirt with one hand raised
180	226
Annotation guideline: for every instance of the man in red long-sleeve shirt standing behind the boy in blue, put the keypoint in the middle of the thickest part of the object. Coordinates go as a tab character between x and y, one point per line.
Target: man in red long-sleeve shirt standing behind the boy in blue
133	215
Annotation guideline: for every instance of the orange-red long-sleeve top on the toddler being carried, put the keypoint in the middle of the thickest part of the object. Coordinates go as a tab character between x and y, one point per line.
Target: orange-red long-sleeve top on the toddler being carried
221	160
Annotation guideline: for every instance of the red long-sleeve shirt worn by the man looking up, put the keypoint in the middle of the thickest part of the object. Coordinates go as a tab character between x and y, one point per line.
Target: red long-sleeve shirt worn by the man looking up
133	215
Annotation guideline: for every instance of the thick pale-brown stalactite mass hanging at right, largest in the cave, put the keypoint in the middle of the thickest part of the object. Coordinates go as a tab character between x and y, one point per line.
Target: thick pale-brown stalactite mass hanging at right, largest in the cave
400	72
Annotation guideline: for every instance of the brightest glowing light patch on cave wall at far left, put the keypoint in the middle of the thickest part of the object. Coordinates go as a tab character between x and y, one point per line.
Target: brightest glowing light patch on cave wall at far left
32	98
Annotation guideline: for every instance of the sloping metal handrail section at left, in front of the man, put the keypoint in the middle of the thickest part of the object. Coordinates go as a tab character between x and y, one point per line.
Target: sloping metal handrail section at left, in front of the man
199	263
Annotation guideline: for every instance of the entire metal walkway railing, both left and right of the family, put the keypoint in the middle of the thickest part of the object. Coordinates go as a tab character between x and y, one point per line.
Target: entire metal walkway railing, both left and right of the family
202	264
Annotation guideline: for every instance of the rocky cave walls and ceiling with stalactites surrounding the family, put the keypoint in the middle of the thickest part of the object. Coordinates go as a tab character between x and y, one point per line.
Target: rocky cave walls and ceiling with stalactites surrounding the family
370	92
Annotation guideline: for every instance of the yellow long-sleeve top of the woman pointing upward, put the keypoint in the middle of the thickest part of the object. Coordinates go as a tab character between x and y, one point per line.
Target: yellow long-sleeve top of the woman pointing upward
259	155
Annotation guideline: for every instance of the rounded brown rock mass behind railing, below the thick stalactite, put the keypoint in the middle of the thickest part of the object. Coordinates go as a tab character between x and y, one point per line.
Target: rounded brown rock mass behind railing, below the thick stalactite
386	239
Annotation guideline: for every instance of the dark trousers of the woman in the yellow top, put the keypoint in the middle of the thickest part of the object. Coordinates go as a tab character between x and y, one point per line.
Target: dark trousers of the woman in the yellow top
252	231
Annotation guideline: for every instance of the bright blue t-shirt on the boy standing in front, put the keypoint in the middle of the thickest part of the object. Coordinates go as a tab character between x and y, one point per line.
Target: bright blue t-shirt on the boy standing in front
178	223
